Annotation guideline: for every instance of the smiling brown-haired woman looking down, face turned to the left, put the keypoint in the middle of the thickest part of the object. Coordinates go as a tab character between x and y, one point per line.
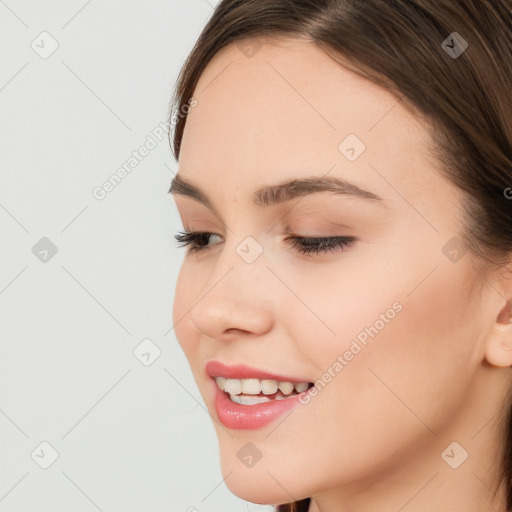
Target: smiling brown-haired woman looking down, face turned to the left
345	301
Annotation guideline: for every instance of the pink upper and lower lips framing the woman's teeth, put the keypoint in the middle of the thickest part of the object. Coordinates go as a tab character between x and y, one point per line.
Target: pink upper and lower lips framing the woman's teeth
238	416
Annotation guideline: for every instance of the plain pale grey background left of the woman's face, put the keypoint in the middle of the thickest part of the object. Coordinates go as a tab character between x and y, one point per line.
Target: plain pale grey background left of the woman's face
131	432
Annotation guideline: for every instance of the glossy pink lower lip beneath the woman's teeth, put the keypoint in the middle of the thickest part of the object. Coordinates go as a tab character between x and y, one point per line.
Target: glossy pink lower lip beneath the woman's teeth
238	416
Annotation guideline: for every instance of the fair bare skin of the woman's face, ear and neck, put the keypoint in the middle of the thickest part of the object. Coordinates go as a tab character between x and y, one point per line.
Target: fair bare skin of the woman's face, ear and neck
372	438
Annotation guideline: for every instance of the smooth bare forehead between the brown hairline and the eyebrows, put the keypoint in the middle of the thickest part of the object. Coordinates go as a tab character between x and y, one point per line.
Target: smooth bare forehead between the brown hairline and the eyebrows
285	111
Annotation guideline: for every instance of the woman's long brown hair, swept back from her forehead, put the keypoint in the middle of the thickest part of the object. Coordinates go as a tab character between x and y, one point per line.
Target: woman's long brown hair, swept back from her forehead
463	93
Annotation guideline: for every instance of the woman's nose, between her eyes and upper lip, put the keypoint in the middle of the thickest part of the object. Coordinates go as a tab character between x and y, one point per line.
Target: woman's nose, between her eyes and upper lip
236	300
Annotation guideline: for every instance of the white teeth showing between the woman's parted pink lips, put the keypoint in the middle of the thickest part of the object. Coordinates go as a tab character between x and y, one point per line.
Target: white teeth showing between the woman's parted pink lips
258	391
